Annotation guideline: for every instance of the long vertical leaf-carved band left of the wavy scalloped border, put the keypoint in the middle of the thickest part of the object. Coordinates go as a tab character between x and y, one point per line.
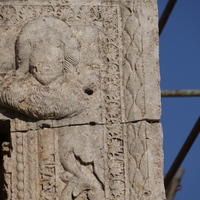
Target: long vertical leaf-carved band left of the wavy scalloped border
110	53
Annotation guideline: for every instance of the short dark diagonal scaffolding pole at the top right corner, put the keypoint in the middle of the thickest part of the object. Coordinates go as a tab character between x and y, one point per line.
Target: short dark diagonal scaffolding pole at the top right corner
168	9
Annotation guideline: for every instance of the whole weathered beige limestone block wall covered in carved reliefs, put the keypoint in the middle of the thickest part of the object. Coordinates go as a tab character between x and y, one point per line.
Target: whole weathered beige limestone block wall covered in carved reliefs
80	97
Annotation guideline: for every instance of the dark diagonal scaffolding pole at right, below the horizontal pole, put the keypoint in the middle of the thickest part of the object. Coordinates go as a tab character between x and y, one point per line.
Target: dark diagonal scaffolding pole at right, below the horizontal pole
182	154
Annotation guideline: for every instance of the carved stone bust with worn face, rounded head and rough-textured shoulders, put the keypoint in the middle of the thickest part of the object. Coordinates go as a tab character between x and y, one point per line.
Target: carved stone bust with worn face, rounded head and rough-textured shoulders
44	84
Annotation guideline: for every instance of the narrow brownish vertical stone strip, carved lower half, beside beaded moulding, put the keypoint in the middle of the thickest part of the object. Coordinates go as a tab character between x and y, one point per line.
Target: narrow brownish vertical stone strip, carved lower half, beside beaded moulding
47	164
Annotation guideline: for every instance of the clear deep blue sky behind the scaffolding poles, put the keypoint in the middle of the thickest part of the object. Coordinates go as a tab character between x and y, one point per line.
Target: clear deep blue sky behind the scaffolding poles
180	69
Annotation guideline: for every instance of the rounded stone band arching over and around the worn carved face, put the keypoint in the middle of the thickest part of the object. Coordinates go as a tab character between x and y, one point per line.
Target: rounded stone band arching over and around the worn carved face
35	31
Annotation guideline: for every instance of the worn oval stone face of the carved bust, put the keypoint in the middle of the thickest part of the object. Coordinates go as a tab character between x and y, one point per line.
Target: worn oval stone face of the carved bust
46	62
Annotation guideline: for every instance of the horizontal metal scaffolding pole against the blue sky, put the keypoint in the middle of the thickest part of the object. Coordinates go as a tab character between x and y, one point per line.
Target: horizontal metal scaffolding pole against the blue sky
180	93
